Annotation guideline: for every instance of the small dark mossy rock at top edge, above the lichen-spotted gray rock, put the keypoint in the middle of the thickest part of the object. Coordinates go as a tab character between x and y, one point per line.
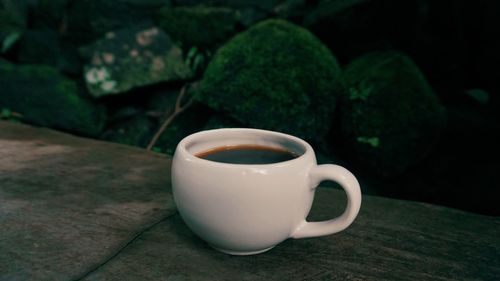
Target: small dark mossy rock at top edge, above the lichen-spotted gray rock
201	26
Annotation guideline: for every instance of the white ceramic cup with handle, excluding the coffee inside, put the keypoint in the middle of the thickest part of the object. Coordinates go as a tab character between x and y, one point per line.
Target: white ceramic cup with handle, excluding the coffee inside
244	209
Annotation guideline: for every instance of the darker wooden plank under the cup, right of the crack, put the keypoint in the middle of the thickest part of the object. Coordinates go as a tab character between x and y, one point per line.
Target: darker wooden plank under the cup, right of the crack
390	240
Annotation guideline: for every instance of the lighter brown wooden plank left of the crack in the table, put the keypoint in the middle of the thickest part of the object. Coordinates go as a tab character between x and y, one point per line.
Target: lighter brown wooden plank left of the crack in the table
67	203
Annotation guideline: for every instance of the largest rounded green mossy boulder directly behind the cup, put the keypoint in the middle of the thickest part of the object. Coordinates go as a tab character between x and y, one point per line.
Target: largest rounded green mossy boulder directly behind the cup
276	76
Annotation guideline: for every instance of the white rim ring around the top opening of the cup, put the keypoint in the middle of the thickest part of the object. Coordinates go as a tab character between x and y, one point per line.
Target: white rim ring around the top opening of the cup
182	147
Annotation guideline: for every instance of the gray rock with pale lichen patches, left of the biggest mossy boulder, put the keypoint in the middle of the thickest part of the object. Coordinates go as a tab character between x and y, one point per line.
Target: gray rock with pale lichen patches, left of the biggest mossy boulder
130	58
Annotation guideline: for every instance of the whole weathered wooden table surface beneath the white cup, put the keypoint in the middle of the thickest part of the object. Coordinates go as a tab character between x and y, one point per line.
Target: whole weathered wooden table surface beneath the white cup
79	209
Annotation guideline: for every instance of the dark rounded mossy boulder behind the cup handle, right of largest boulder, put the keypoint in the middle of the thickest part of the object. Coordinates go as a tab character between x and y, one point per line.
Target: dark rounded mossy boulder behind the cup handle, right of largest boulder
390	116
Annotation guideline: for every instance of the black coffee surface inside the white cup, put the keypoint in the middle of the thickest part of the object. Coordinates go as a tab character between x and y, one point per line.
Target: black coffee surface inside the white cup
247	154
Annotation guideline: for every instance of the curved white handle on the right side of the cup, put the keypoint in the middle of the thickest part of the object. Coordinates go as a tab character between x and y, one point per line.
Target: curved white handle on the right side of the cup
349	183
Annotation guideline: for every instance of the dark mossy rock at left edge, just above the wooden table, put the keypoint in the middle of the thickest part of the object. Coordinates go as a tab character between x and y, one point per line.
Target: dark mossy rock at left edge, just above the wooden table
42	96
